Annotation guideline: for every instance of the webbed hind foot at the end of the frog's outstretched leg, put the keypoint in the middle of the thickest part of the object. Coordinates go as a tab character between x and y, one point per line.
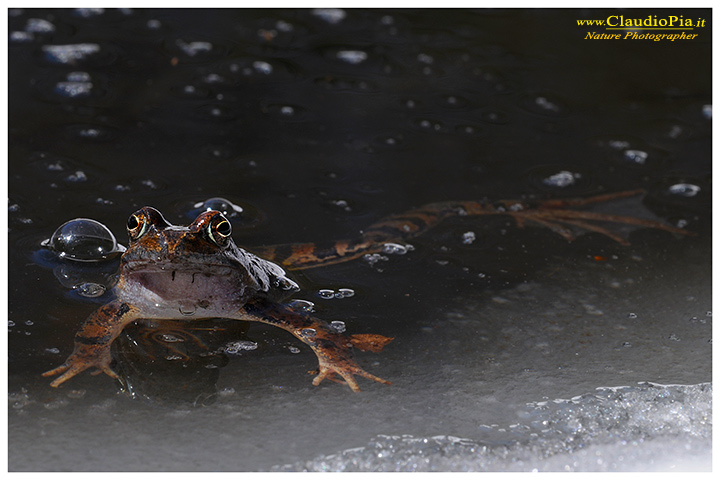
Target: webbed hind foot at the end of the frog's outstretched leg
558	217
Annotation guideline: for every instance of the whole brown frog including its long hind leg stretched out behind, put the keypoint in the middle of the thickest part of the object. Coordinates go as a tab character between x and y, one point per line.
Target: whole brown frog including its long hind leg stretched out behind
173	272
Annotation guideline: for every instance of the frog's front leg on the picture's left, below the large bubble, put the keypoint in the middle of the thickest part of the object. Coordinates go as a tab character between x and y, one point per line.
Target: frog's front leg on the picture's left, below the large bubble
93	340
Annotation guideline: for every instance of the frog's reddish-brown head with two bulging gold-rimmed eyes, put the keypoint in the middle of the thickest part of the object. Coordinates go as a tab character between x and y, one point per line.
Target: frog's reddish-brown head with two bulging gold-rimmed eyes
157	244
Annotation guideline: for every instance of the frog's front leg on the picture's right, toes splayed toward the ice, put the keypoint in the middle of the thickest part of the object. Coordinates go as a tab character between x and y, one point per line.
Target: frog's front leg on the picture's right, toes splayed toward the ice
331	348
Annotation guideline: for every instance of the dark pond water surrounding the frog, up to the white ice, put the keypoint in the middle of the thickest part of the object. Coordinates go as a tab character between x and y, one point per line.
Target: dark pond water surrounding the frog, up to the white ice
318	124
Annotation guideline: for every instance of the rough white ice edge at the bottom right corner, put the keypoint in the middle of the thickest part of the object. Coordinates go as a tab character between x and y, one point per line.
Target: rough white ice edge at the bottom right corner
648	427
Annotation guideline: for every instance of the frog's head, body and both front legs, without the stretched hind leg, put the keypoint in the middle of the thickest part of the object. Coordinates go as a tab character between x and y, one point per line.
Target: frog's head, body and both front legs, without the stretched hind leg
173	272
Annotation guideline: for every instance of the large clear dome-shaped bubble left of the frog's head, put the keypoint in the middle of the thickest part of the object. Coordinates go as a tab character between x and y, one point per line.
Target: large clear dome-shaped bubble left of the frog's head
83	239
